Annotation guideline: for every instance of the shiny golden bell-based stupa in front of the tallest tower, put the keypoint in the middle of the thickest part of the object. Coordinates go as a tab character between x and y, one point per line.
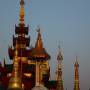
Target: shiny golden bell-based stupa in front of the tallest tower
15	82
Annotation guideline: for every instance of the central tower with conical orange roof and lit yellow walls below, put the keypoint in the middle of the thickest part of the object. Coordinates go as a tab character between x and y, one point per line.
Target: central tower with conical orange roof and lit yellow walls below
40	57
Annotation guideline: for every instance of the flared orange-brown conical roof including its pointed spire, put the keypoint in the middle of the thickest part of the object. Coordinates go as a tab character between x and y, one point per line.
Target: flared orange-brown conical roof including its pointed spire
39	52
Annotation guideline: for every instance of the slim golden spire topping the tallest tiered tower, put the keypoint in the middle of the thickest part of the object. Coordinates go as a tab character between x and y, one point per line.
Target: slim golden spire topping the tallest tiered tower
21	14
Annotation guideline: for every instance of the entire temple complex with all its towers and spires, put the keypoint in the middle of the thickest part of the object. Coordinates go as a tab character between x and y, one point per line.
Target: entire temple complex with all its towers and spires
30	69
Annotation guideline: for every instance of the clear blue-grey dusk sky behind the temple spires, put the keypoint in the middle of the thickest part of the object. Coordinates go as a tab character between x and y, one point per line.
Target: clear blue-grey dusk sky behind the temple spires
67	21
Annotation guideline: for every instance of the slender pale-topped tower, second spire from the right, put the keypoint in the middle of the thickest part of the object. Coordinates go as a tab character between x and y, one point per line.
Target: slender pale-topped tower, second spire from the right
59	71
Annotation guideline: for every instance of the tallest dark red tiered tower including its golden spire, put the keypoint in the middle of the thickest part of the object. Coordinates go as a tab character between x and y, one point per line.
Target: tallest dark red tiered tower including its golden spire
21	37
